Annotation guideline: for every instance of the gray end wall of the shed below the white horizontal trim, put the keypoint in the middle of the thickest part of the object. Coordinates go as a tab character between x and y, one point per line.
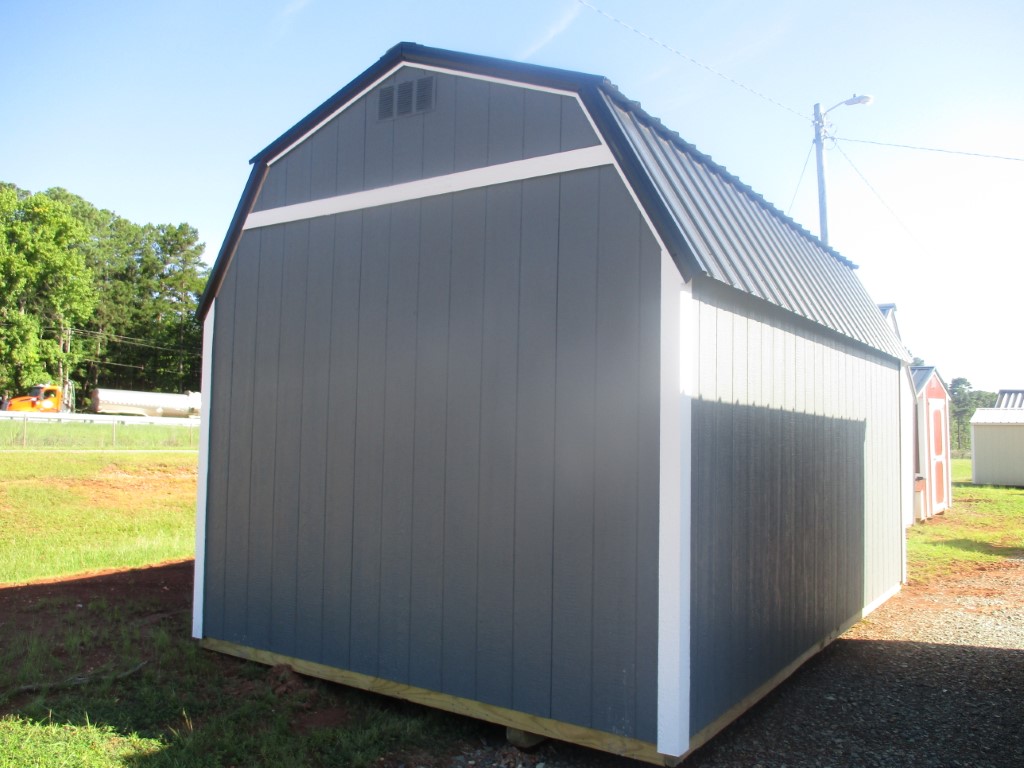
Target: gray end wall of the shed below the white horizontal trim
439	472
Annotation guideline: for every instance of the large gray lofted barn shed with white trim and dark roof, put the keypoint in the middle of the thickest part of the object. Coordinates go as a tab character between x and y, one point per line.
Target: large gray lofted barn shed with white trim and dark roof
523	408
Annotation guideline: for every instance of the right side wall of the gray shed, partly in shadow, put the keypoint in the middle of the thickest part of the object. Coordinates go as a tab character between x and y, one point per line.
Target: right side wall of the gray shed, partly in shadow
796	515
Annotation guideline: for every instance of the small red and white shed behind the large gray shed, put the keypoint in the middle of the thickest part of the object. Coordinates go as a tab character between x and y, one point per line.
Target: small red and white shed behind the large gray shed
933	444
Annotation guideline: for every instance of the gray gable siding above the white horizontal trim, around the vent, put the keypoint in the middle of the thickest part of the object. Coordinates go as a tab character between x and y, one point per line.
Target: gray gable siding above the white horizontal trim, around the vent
474	124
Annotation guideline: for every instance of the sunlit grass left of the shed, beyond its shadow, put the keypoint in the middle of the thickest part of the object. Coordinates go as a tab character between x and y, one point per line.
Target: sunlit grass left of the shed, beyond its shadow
65	514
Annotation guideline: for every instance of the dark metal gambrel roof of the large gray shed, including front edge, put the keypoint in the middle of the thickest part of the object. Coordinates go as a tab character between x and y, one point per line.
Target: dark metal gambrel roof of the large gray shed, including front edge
719	232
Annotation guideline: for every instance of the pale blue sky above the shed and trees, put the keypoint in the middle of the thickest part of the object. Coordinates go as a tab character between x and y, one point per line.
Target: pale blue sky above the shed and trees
154	109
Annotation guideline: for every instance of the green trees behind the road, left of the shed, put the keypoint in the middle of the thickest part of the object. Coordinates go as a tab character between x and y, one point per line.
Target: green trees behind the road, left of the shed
90	296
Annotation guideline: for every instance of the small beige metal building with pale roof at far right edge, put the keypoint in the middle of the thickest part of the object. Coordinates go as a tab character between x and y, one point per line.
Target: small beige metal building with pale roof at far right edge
998	443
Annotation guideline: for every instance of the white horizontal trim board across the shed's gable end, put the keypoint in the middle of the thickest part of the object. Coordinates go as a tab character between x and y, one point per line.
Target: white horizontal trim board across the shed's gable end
520	170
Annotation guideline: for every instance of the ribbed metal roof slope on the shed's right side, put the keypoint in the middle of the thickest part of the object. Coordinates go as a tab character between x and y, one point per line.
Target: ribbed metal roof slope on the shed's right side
737	238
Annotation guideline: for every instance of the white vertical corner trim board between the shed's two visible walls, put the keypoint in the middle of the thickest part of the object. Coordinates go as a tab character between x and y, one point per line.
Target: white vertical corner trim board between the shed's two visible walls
678	365
